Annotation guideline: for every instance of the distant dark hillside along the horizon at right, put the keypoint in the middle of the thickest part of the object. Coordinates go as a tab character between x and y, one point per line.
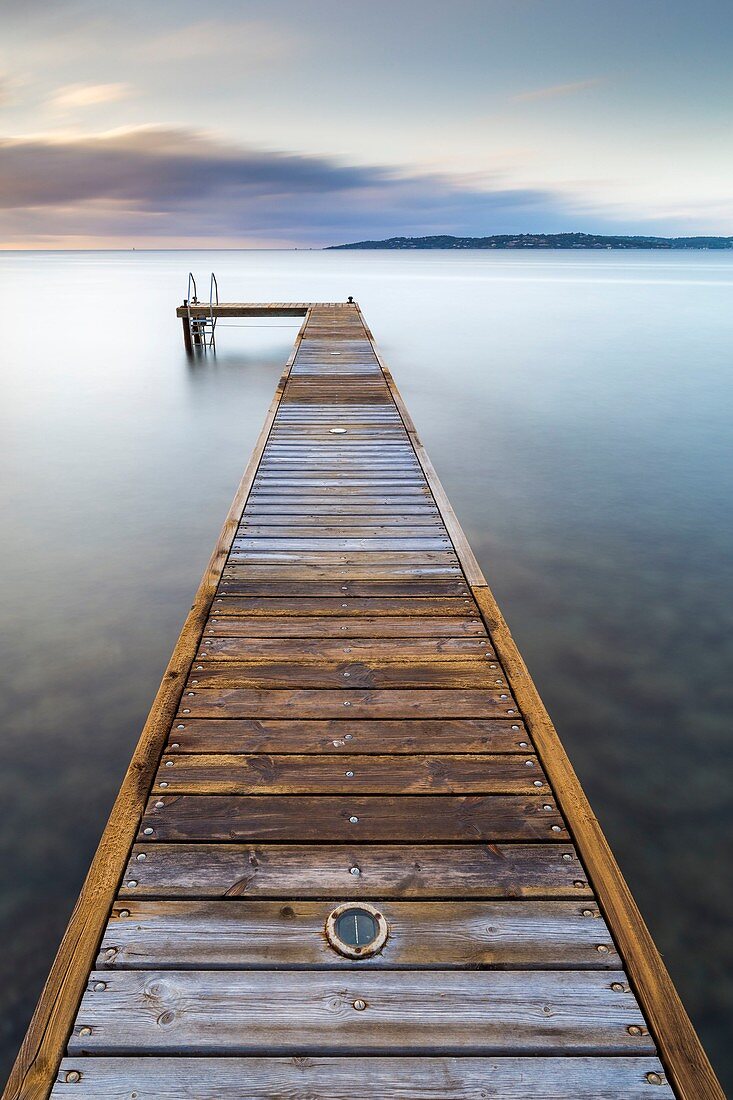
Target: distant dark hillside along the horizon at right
545	241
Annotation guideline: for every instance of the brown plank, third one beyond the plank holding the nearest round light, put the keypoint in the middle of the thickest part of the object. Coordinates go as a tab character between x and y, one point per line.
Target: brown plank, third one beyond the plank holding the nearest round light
225	774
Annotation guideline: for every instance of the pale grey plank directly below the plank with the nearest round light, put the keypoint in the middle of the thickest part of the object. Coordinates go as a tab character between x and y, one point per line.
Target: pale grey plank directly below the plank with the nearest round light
435	1011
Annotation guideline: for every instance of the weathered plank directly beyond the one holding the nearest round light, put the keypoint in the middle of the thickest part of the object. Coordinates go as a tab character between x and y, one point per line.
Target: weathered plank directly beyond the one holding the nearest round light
395	871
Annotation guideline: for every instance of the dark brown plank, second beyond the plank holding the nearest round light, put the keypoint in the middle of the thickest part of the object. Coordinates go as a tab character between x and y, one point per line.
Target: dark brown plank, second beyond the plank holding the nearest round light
356	818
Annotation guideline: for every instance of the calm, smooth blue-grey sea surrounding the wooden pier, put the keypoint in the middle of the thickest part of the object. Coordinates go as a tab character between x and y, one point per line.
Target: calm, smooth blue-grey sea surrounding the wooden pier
579	410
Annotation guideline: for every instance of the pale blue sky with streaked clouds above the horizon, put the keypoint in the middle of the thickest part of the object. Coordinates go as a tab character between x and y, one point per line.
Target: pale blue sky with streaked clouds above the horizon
283	124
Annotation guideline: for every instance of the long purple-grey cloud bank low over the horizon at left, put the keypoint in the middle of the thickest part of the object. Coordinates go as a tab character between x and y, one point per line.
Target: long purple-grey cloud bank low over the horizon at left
176	183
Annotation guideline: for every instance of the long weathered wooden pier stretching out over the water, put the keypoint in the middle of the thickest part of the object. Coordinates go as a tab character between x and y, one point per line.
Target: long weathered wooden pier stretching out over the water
347	722
